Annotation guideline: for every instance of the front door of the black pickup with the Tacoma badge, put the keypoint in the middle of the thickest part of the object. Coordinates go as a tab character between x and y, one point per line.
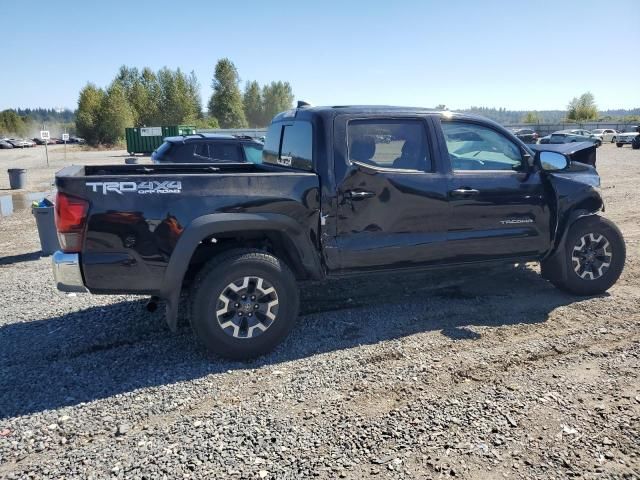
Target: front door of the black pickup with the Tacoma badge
498	203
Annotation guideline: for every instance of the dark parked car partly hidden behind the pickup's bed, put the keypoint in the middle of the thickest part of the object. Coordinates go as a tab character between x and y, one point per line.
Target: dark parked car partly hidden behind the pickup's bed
208	148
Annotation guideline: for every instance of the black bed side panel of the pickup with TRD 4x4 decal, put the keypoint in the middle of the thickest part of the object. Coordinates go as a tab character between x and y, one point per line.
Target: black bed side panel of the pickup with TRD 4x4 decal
138	214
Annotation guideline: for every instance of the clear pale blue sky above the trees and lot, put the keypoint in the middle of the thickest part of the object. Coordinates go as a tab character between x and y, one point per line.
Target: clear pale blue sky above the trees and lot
527	55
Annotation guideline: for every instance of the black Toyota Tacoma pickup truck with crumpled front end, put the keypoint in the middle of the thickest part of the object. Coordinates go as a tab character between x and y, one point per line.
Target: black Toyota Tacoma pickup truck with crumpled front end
340	191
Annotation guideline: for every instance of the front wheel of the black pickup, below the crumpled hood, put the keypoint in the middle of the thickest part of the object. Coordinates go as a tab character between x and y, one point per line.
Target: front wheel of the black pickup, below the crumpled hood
577	280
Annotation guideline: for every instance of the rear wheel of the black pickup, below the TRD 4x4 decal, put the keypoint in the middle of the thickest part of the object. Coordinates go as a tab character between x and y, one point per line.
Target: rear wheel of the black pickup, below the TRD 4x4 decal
238	340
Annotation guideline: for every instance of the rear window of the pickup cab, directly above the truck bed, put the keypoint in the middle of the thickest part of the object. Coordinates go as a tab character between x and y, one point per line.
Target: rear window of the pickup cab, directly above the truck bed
294	149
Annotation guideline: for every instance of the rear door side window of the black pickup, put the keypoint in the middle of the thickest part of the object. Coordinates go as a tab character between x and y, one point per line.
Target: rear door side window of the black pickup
389	143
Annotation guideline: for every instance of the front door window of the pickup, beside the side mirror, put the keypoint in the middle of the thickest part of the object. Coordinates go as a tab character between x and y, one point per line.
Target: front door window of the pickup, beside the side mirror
475	147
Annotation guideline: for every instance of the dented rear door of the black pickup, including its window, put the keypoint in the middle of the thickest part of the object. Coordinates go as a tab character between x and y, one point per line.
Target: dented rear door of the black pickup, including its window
392	201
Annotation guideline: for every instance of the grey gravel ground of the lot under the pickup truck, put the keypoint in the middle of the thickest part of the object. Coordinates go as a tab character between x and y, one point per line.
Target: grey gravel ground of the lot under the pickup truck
479	374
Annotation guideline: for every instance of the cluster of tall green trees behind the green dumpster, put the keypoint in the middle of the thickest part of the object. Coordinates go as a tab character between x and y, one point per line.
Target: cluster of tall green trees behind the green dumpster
137	98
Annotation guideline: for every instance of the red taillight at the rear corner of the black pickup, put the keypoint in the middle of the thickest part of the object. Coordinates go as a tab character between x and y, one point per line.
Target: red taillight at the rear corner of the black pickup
71	217
